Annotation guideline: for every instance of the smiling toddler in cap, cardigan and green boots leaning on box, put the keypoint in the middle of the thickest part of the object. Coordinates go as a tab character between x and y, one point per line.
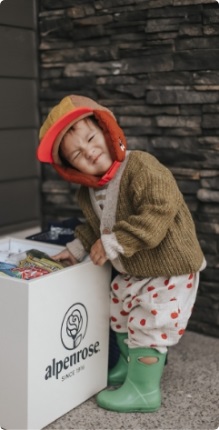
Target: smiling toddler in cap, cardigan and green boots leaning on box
136	217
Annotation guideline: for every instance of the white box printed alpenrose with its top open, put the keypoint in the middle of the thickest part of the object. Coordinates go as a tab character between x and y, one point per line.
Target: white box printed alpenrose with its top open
54	336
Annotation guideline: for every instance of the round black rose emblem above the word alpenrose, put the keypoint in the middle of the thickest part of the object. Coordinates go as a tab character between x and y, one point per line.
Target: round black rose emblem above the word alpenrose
74	326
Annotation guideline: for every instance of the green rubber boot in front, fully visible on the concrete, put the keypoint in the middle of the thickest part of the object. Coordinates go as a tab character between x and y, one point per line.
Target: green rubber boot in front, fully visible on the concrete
141	389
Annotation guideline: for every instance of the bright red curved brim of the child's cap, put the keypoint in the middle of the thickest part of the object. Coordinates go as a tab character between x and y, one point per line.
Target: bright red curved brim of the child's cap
45	148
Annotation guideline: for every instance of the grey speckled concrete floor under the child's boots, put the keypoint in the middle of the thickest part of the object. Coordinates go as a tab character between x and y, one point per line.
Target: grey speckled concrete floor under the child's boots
190	387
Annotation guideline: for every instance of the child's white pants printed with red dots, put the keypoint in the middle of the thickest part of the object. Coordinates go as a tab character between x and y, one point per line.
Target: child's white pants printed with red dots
154	311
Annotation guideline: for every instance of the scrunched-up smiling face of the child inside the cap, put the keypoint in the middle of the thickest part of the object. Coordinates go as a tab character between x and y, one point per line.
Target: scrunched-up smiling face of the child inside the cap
84	147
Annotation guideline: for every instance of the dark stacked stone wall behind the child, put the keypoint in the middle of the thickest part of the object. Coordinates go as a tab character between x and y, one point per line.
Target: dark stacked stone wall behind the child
155	63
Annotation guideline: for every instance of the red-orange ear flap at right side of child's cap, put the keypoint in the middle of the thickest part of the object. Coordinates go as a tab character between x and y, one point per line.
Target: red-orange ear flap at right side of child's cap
114	135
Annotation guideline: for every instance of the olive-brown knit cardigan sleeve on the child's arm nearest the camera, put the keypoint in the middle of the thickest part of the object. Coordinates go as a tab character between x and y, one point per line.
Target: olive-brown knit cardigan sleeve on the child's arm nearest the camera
148	207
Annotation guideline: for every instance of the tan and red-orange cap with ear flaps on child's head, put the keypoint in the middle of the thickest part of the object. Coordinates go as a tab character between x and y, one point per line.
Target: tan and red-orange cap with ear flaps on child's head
70	110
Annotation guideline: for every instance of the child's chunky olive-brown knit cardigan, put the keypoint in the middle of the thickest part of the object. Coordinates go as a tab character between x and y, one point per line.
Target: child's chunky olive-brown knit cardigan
153	223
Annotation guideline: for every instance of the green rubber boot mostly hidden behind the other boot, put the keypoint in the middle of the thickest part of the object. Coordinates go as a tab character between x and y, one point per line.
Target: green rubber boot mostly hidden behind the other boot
118	373
